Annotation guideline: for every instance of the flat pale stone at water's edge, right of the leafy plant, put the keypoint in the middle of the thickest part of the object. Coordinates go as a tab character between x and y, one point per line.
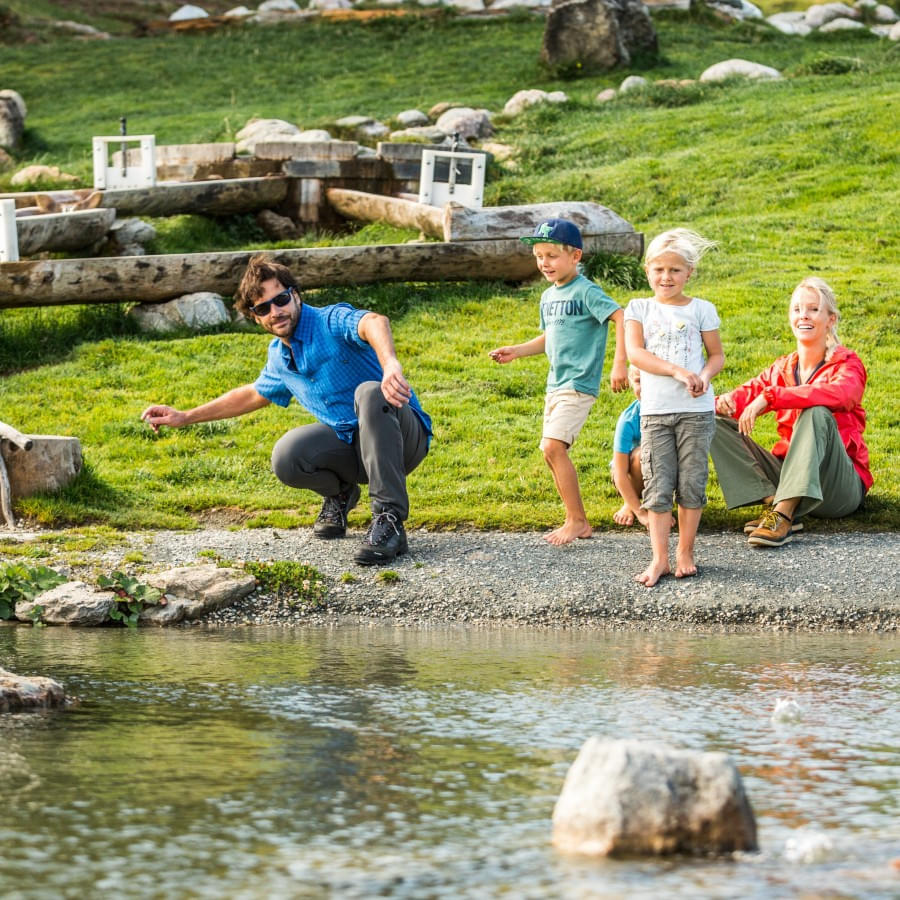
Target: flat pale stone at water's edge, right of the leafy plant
192	591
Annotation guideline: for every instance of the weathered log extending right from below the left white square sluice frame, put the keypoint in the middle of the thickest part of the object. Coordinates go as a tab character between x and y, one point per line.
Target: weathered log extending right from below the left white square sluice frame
218	197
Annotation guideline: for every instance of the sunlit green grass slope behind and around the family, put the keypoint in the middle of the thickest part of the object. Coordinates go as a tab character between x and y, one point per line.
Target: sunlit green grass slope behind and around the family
791	178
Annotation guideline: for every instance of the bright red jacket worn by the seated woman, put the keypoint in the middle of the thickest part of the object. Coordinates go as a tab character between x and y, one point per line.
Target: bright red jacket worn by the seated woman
838	386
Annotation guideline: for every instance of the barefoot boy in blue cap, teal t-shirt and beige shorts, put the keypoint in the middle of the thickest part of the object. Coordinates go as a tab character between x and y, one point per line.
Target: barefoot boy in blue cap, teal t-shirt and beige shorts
575	316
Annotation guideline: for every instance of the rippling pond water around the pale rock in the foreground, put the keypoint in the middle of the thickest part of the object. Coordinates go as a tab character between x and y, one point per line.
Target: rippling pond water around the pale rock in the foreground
378	762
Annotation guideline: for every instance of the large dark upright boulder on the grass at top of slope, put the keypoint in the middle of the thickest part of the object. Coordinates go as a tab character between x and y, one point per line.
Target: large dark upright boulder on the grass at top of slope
597	34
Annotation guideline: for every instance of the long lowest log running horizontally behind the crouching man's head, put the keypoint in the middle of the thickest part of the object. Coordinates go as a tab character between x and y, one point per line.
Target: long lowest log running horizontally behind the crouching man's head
51	282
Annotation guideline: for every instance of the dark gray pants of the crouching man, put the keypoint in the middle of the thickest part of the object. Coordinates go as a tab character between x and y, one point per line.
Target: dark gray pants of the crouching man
387	446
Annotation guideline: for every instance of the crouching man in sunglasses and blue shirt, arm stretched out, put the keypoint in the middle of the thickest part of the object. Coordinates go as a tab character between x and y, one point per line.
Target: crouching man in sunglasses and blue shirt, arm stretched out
340	364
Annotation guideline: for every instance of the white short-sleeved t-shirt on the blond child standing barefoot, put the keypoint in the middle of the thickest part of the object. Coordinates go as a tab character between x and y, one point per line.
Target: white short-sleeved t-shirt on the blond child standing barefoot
673	333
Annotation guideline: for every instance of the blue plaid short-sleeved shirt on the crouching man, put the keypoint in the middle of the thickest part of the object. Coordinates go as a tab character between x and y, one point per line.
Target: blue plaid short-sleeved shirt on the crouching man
326	362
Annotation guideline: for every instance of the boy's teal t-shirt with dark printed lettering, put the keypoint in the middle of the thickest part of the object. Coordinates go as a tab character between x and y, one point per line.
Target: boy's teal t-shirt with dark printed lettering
575	321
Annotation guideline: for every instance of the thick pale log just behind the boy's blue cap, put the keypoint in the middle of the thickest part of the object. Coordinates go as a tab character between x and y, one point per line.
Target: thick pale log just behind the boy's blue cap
495	222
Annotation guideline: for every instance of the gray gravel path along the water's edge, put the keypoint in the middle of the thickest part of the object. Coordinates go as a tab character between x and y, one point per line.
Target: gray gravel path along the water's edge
827	582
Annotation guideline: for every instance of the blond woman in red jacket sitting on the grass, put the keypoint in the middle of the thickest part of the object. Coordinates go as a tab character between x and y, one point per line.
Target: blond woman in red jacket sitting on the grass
820	465
